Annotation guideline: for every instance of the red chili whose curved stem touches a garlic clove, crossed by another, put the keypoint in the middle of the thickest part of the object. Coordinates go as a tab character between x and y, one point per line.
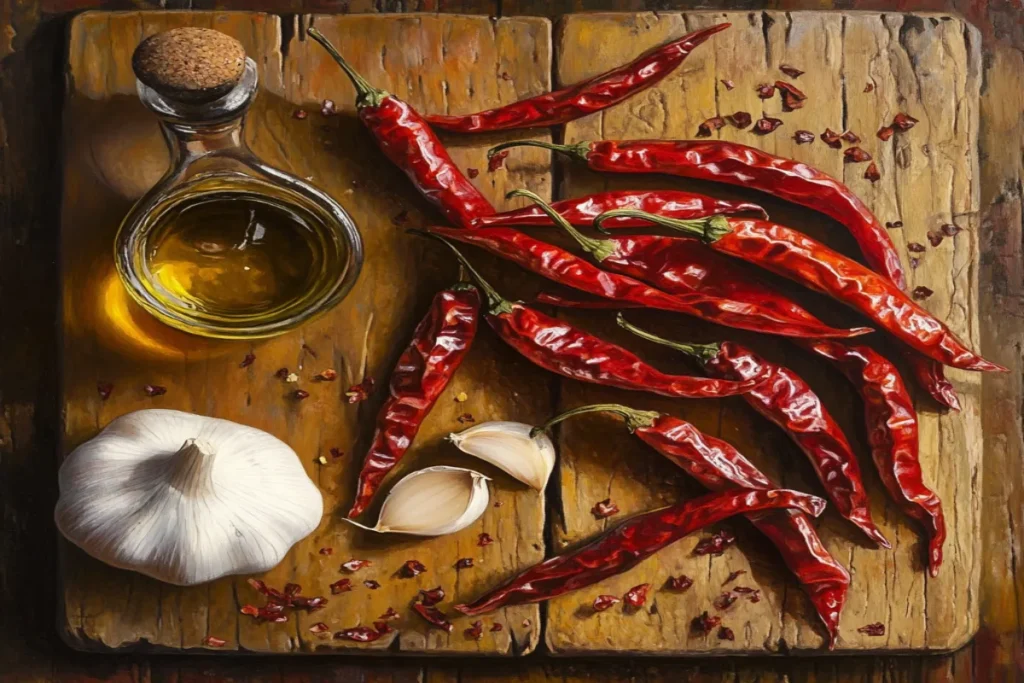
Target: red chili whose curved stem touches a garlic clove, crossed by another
718	466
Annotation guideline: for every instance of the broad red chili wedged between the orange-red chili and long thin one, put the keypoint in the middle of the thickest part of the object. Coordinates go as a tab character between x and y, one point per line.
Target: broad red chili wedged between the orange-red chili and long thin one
681	267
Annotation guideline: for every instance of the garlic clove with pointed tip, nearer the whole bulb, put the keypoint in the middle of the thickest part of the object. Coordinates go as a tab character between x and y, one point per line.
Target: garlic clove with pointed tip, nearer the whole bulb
435	501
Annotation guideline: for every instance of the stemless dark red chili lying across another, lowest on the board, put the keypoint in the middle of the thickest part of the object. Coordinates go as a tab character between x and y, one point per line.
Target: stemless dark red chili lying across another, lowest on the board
631	543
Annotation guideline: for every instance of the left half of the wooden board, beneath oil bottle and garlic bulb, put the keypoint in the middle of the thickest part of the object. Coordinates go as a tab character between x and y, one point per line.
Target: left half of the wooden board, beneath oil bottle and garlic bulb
115	154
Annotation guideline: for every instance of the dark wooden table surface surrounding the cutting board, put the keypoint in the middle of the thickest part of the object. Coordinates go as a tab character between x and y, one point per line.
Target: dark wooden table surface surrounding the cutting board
32	63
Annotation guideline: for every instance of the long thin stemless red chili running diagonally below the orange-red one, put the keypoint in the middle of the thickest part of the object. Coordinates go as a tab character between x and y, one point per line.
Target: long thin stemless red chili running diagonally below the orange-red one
567	269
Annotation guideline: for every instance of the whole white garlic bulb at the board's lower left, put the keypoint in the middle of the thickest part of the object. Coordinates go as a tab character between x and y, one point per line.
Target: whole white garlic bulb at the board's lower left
186	499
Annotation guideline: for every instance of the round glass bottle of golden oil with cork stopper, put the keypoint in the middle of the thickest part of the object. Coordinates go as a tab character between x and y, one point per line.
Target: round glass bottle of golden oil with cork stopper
225	245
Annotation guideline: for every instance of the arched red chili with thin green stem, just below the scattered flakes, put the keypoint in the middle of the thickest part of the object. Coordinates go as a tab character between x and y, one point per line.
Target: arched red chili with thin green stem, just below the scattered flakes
741	165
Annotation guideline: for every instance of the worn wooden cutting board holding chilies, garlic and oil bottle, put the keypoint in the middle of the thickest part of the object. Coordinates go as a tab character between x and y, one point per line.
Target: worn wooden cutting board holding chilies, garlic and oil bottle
924	65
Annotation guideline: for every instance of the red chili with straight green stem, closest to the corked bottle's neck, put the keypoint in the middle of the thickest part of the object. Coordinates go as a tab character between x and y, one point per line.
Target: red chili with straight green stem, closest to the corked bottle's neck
406	139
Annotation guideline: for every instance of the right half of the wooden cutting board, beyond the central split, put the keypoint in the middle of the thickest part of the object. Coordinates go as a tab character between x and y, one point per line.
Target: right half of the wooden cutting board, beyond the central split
927	66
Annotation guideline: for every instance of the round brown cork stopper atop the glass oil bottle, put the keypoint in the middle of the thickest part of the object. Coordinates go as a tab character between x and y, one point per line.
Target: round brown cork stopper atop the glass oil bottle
190	65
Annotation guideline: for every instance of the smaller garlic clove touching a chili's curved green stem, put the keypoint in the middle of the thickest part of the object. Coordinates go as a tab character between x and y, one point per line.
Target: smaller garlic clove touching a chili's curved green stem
509	447
